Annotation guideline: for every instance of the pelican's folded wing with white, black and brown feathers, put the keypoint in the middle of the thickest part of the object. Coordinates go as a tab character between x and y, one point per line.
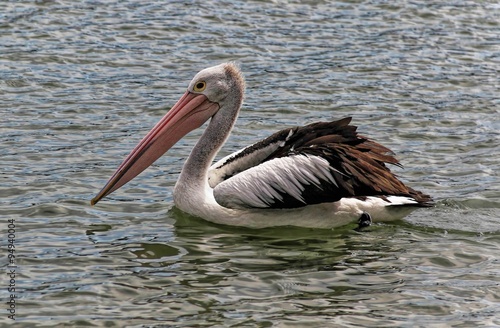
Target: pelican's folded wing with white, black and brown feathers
321	162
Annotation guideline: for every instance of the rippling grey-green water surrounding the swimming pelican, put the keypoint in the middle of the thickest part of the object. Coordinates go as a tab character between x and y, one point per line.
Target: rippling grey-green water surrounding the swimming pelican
82	81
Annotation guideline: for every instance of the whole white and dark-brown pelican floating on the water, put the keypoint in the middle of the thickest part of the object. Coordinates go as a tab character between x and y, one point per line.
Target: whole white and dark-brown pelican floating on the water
322	175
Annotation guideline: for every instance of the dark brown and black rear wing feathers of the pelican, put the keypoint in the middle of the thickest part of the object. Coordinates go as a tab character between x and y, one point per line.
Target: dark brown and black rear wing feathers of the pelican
358	163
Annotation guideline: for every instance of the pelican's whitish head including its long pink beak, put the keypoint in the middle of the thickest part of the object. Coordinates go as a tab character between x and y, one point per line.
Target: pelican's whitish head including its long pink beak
209	90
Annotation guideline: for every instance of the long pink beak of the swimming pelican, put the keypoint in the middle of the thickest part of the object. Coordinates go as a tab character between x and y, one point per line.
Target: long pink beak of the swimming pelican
189	113
